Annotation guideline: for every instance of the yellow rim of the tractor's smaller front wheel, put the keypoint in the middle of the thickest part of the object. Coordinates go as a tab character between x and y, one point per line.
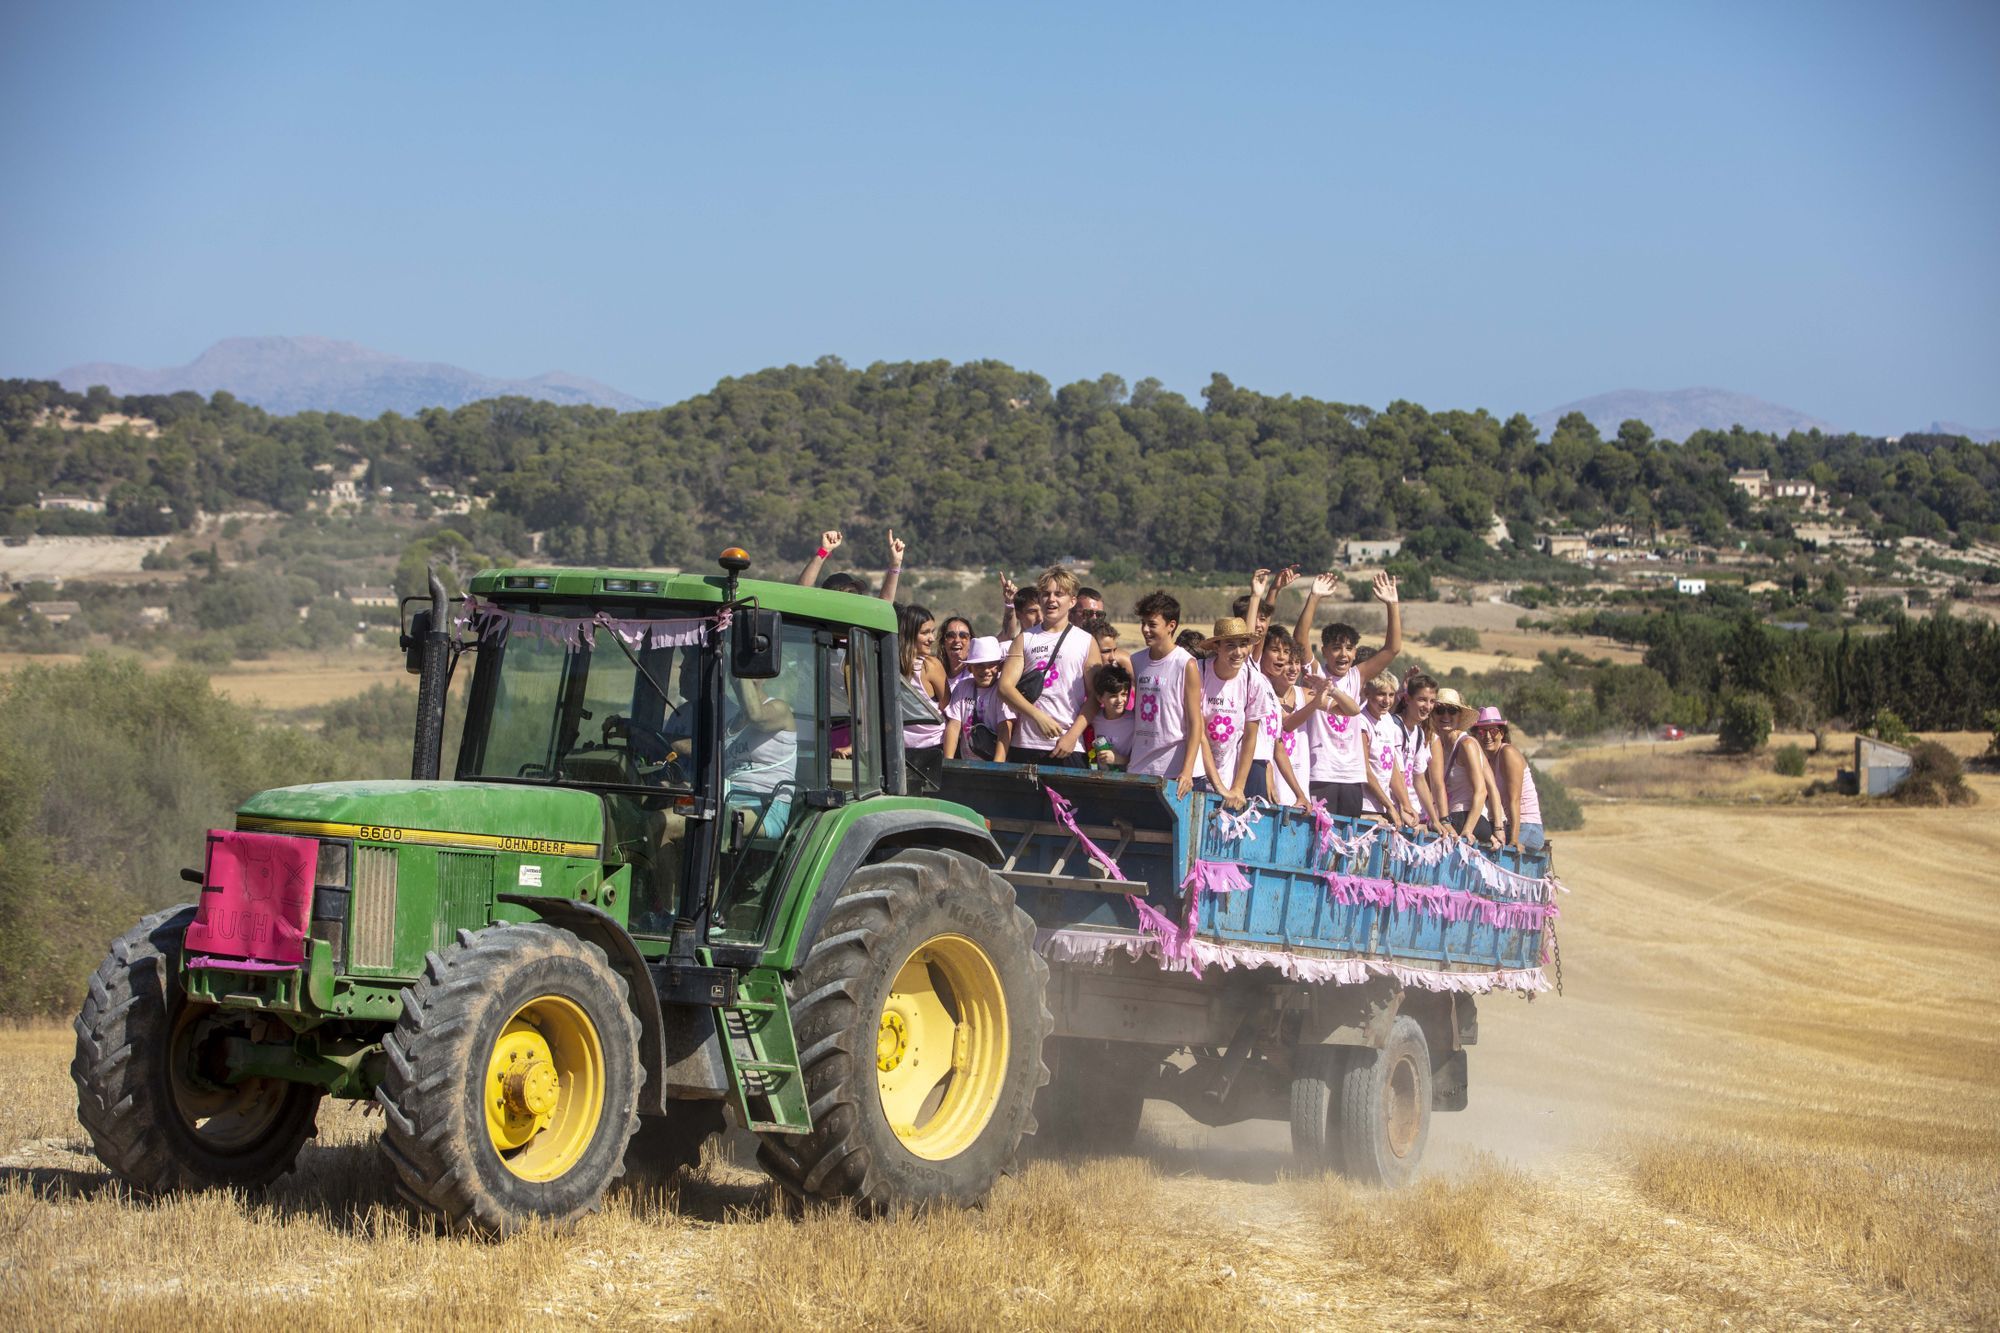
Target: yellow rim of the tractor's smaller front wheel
545	1088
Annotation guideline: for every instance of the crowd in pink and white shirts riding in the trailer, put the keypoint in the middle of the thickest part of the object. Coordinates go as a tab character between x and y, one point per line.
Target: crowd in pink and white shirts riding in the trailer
1251	712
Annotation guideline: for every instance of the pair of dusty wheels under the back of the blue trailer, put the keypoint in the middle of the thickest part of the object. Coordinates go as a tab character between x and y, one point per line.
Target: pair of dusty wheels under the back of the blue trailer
1363	1112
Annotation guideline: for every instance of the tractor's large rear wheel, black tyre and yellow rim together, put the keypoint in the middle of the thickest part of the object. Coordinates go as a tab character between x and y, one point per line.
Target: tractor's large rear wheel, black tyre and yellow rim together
921	1016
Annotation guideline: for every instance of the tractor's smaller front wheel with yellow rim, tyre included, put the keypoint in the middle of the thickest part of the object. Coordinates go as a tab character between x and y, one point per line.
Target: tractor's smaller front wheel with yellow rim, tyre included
443	1060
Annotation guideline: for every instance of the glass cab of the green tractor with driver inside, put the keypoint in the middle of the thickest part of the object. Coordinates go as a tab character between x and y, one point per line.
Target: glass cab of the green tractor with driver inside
713	720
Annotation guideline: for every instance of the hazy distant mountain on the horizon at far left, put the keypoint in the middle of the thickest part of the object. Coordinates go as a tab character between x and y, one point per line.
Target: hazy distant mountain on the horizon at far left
321	375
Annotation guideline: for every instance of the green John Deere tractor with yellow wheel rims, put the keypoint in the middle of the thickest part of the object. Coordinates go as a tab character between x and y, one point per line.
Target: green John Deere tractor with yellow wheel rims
675	876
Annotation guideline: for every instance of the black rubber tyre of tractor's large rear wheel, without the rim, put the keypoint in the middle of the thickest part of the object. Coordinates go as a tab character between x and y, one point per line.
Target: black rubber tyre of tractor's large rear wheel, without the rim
885	916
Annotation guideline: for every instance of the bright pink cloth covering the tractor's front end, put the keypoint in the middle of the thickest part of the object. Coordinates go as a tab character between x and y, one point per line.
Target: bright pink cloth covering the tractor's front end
257	898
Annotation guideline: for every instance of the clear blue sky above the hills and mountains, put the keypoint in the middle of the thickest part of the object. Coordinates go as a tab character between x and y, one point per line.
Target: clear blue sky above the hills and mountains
1463	205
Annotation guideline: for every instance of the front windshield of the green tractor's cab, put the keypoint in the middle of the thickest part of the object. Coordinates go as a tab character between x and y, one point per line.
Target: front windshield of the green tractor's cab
585	696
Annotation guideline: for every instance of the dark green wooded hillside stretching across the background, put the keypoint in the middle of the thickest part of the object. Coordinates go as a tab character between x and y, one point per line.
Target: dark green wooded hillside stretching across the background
977	465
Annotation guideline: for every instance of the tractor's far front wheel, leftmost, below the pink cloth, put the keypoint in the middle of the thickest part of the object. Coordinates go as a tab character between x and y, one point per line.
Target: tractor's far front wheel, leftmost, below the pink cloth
141	1096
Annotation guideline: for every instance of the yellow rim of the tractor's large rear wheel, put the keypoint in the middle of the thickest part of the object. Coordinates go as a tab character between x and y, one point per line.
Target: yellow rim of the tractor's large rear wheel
941	1048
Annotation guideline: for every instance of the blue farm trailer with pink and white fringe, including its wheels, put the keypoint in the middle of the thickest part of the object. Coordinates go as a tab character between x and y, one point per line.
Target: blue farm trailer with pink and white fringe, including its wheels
1273	964
